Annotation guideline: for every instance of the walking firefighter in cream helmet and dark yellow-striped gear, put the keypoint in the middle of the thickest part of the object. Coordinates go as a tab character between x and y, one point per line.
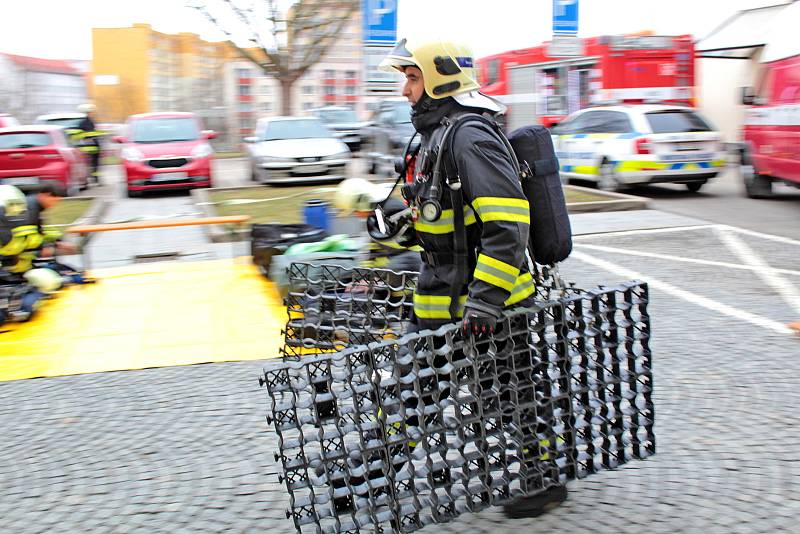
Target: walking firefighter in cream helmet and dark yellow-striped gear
470	215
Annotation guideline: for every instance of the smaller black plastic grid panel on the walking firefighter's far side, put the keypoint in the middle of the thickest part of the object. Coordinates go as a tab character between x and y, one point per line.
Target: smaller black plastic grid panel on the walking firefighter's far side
332	307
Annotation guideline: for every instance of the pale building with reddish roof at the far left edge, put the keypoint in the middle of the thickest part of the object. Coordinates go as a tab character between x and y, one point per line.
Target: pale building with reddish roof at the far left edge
31	86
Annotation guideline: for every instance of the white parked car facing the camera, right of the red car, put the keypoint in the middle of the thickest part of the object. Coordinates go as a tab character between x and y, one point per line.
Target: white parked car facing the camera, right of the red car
295	150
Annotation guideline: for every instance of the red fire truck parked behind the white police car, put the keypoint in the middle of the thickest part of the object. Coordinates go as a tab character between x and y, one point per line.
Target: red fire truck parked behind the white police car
539	87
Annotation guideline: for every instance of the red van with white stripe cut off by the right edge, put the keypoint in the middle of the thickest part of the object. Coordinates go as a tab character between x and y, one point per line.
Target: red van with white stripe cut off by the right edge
771	131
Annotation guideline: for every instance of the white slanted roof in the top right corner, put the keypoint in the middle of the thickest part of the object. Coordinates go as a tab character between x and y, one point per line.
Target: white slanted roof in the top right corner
746	32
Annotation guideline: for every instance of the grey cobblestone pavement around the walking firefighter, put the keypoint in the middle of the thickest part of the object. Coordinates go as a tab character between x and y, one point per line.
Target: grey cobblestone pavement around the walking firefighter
186	449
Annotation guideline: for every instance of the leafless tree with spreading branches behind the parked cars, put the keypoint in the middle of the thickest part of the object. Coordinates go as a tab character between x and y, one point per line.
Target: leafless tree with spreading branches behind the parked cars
283	45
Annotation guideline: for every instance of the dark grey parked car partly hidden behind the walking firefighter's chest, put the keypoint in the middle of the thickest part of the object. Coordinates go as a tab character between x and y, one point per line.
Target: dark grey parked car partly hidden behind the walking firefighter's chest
386	135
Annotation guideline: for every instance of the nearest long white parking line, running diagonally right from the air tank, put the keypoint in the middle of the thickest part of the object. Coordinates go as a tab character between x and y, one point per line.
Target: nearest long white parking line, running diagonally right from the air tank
686	295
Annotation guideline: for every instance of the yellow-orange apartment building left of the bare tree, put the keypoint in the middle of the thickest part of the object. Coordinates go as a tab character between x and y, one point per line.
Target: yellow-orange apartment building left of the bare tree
138	69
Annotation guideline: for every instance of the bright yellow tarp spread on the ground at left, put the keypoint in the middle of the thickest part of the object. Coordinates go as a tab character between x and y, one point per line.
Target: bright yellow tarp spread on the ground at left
148	315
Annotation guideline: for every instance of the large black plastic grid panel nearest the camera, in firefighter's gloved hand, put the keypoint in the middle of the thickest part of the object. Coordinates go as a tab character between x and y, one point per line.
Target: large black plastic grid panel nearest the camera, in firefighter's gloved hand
402	433
